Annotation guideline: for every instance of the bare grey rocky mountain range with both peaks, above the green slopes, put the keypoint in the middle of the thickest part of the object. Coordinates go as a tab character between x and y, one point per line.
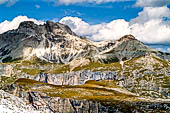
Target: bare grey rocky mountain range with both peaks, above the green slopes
57	43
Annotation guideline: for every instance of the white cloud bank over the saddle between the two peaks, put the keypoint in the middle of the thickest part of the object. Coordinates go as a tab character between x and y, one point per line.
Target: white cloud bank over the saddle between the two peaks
97	32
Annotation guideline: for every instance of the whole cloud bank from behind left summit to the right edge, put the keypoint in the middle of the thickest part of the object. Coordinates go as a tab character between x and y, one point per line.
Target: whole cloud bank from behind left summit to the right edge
148	27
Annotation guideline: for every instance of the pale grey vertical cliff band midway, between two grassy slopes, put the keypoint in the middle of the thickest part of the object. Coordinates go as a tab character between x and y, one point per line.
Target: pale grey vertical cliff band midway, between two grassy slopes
75	78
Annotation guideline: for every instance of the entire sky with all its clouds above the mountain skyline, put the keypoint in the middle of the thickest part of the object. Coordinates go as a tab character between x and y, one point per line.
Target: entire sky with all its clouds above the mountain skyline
147	20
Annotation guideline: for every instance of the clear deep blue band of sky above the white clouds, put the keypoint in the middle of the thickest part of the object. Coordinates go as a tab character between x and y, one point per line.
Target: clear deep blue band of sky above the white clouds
90	12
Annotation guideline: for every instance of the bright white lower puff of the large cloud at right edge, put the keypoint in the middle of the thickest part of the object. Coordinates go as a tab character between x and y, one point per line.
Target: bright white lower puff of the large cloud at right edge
153	31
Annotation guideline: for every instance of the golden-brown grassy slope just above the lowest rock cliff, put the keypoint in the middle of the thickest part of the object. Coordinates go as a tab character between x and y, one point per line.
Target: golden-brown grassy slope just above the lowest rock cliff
104	90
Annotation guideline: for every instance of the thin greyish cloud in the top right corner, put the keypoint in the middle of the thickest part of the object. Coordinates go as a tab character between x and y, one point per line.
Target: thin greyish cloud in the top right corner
152	3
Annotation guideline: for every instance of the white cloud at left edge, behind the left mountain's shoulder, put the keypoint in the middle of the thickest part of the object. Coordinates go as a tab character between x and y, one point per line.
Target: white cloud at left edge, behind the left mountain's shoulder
9	25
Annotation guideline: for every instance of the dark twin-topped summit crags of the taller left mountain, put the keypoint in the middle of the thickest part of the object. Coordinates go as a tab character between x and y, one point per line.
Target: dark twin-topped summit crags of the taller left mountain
29	27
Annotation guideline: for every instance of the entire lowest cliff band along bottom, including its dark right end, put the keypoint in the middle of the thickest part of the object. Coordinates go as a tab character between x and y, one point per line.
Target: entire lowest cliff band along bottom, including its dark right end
44	103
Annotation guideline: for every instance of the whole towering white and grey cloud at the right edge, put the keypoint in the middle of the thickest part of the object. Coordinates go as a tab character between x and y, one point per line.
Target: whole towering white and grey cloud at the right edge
149	26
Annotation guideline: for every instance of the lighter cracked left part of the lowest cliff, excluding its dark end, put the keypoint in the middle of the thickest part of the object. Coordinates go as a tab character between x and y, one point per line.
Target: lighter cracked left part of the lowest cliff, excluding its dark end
59	105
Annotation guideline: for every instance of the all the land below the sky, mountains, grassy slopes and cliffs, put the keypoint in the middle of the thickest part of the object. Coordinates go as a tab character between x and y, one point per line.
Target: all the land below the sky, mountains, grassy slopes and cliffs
48	68
